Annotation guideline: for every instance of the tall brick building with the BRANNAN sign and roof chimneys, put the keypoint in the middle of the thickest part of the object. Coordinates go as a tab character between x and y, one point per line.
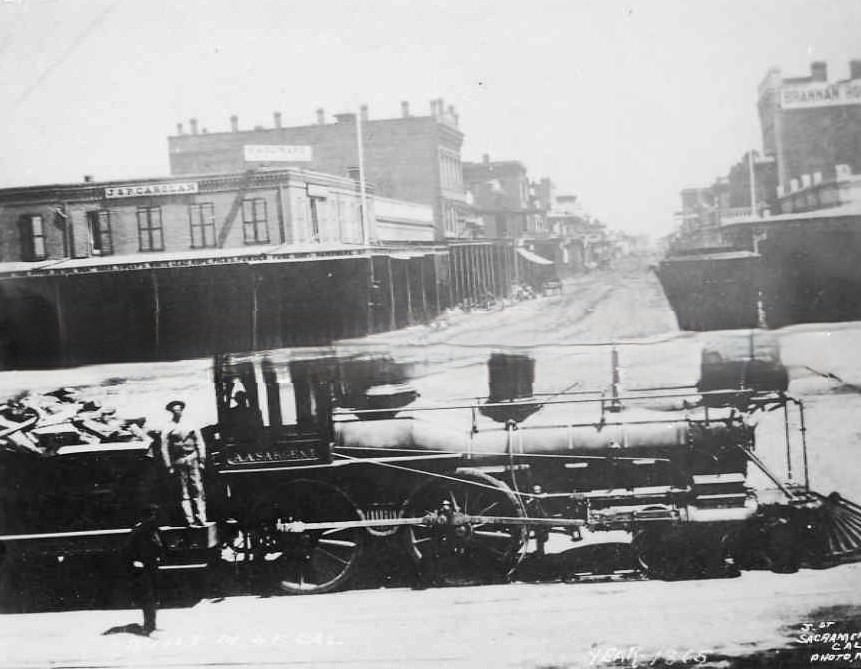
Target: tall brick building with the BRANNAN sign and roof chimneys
811	125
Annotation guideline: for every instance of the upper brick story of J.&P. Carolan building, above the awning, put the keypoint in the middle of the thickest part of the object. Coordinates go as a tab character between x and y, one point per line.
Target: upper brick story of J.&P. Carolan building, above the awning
194	214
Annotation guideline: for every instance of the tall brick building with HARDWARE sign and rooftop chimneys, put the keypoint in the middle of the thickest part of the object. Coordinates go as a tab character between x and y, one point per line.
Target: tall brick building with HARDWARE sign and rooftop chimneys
411	158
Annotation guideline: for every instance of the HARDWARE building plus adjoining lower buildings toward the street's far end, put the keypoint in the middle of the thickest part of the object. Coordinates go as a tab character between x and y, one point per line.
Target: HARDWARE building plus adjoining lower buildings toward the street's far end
411	158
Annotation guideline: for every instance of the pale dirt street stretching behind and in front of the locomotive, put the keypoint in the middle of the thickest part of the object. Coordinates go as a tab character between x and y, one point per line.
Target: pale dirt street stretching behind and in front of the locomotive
756	619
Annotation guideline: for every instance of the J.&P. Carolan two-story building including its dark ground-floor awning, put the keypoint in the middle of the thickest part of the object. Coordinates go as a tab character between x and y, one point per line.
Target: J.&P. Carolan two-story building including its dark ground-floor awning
177	267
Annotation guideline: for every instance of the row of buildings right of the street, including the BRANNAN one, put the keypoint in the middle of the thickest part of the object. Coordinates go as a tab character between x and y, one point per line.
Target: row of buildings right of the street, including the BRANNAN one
811	159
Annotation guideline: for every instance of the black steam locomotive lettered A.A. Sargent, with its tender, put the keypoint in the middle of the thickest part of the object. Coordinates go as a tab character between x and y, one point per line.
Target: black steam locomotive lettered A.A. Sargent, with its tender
315	456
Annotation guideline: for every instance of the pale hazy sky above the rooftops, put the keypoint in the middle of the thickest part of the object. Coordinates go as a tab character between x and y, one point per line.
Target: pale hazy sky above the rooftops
620	103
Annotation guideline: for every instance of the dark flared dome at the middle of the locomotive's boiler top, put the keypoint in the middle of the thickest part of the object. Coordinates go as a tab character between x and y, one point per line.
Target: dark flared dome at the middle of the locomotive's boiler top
510	379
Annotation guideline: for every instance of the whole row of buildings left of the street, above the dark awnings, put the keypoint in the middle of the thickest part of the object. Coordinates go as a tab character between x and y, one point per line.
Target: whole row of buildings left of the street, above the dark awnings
295	186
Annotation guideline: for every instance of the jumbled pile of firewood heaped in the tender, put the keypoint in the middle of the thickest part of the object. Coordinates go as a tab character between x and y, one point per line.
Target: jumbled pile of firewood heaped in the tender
46	422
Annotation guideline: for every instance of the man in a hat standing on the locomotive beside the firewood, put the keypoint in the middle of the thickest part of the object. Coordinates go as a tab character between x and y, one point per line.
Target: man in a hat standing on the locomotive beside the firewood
184	453
